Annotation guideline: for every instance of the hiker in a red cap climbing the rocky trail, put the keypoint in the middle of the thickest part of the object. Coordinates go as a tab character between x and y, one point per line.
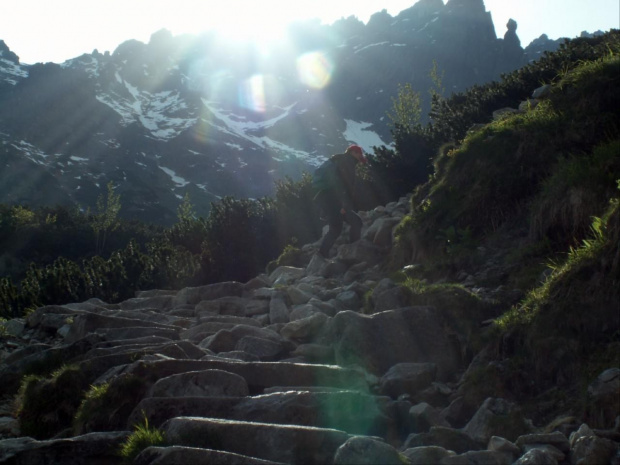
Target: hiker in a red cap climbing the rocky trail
334	182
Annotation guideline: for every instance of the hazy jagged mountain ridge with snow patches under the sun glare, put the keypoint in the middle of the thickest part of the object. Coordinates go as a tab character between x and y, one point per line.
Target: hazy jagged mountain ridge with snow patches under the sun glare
195	115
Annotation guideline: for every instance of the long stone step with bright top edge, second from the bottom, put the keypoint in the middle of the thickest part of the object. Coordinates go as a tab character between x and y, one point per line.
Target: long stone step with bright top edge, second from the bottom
279	443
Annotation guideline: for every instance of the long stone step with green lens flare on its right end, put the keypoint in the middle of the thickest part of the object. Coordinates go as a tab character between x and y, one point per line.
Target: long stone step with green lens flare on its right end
352	412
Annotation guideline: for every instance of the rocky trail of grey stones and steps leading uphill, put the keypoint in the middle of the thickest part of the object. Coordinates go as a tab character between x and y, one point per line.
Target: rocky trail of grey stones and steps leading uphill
325	363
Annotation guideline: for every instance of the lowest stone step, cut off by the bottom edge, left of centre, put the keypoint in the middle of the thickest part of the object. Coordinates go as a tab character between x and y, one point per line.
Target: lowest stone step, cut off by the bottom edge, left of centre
195	455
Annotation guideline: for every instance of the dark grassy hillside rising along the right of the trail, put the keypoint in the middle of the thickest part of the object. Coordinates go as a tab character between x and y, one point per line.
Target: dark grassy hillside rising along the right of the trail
538	191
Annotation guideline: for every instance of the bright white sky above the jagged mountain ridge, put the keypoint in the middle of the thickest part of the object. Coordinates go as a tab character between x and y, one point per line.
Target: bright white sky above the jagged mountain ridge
58	30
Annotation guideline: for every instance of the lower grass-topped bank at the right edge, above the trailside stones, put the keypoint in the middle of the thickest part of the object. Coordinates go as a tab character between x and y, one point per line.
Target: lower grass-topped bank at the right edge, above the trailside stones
574	309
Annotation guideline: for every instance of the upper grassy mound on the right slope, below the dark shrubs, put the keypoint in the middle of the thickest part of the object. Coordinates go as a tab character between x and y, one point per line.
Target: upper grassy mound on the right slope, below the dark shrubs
534	159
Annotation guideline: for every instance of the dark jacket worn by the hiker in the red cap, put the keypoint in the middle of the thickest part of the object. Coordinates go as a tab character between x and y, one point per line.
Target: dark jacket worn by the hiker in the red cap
341	189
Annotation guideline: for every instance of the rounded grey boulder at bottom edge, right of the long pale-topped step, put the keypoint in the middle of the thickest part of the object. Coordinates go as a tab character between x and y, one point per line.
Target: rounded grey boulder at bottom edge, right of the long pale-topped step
361	450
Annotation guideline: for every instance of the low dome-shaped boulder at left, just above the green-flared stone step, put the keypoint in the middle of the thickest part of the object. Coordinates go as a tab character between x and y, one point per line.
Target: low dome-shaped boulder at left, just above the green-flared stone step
200	384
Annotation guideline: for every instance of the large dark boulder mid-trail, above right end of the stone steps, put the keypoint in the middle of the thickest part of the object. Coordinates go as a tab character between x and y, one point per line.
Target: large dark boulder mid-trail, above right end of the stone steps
406	335
